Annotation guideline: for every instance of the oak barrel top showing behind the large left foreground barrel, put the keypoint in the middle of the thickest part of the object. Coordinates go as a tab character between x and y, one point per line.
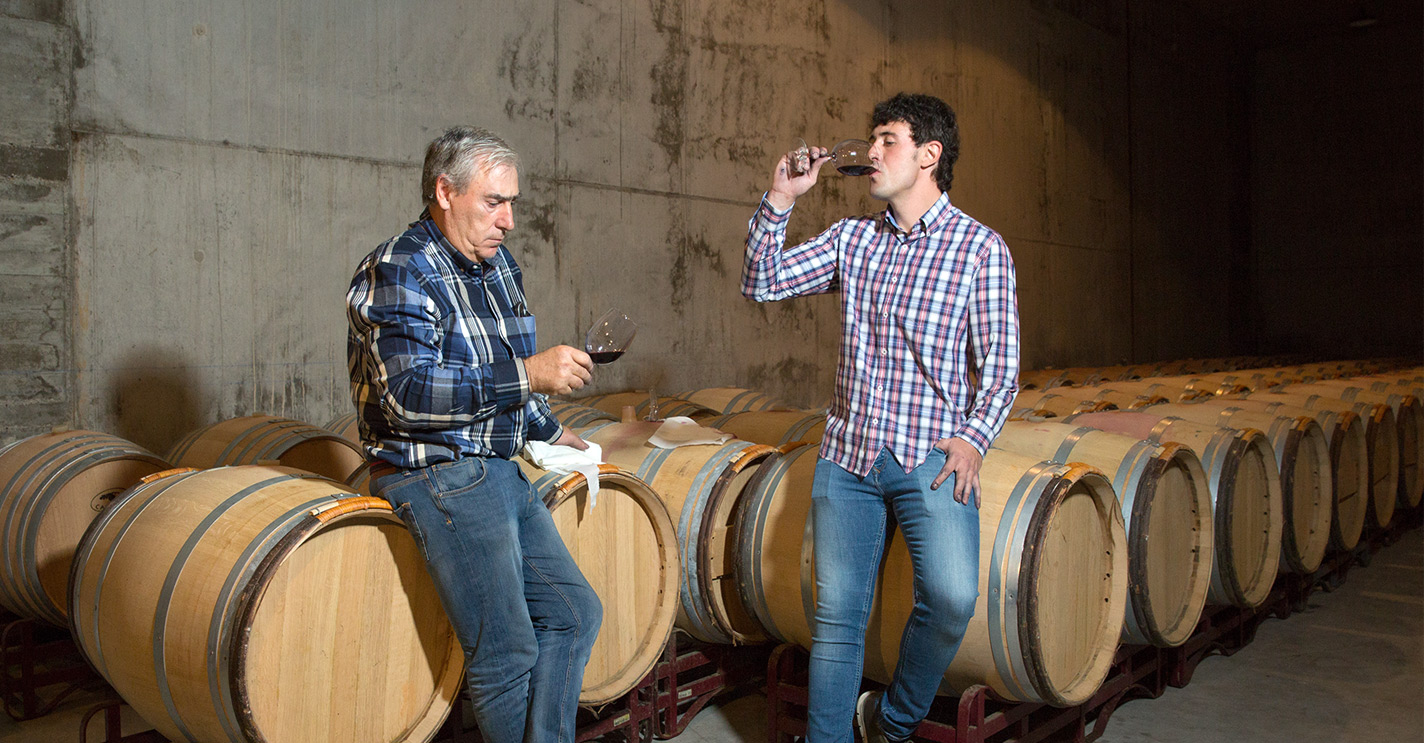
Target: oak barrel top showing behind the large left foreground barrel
267	439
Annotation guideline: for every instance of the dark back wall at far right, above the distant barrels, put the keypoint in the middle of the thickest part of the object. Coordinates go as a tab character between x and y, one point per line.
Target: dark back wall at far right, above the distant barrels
1338	193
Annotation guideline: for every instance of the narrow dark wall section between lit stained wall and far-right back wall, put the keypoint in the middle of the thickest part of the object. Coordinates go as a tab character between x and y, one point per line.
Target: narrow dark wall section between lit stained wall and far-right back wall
1190	132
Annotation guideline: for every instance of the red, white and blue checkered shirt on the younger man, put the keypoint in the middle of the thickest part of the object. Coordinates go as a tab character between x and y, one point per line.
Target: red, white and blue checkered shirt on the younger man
913	304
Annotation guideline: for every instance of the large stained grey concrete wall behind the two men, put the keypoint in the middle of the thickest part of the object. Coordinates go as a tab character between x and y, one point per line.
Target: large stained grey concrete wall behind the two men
220	167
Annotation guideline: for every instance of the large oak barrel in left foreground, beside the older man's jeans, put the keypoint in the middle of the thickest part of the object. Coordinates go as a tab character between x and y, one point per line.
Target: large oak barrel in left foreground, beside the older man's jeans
247	604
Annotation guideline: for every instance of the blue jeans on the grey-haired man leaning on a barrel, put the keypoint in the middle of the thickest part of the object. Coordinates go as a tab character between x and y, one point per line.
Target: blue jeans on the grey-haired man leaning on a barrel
523	611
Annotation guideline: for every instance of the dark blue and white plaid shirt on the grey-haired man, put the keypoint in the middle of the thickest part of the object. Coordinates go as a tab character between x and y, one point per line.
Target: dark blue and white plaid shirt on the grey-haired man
436	352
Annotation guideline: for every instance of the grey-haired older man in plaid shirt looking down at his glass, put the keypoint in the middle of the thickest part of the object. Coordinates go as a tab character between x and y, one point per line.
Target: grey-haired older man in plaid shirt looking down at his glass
449	388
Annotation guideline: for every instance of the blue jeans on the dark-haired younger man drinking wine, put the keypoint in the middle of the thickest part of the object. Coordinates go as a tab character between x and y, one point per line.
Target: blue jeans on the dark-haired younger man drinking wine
852	522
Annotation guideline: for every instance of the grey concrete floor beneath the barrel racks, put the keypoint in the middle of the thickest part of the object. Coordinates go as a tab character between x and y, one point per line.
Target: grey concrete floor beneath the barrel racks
1351	668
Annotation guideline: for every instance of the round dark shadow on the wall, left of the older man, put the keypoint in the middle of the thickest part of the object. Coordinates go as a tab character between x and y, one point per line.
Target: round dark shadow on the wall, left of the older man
155	399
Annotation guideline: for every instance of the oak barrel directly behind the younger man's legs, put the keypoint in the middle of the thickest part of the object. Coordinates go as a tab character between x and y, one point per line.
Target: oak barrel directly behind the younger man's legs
1053	577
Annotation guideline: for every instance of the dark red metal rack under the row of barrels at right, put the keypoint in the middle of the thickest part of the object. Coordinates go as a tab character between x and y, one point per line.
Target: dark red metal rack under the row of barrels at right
980	717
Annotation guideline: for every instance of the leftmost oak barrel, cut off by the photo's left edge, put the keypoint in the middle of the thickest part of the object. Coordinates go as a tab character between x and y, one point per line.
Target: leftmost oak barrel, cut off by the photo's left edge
52	488
